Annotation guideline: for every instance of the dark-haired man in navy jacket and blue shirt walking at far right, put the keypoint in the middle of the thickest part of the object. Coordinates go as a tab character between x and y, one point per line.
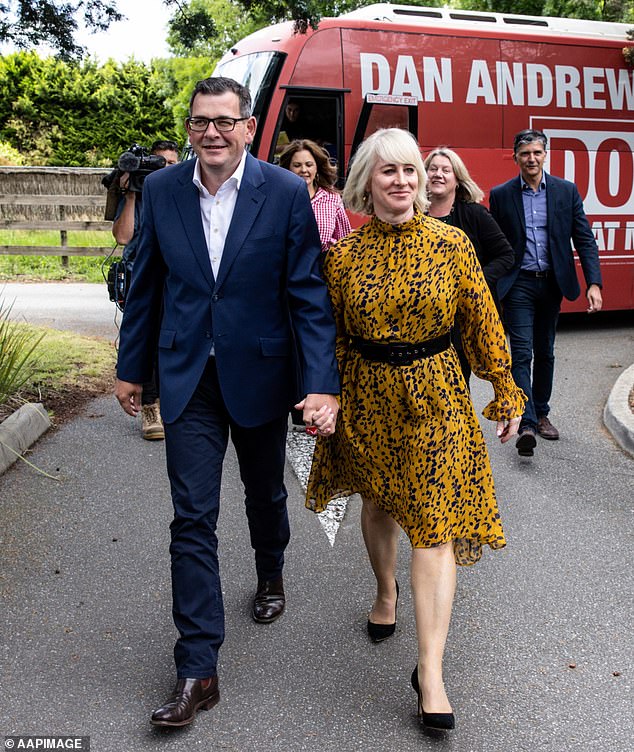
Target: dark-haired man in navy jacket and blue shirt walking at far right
540	215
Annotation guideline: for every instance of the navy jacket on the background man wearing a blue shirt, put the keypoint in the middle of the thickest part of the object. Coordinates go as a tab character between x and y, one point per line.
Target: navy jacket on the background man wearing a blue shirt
566	221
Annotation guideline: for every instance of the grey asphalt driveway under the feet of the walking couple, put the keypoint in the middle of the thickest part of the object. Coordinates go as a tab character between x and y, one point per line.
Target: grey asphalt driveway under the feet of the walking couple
540	651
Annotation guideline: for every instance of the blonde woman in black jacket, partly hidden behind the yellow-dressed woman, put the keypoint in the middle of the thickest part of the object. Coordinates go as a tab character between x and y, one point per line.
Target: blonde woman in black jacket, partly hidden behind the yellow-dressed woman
455	199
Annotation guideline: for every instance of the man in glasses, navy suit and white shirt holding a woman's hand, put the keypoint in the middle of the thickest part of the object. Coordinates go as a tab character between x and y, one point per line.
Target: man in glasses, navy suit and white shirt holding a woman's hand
226	282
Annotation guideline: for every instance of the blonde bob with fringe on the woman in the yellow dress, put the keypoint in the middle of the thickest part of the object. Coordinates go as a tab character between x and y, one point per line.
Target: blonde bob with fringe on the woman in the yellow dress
392	145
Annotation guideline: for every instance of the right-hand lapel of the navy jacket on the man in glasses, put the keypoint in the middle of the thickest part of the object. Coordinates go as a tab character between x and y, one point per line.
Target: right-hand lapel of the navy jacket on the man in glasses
248	205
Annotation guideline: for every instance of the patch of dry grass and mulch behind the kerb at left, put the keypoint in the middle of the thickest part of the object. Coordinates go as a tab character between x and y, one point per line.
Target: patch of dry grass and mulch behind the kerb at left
67	371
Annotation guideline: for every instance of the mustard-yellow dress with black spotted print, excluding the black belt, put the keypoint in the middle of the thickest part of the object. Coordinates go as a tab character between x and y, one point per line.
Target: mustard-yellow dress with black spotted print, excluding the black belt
408	437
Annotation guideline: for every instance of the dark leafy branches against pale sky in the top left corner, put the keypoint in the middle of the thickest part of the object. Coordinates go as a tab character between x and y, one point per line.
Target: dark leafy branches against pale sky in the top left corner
26	23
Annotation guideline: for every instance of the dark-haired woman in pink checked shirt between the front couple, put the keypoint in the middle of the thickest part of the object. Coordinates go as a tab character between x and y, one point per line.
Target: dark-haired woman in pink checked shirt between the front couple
312	163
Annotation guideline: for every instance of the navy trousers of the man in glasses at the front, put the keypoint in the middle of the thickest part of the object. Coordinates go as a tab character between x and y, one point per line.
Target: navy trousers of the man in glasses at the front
196	444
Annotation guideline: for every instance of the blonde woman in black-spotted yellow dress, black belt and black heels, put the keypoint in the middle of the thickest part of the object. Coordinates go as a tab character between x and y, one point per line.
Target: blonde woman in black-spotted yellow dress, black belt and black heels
407	437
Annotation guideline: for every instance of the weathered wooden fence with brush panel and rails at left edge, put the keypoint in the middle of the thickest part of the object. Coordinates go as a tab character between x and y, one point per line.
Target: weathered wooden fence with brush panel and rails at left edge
53	198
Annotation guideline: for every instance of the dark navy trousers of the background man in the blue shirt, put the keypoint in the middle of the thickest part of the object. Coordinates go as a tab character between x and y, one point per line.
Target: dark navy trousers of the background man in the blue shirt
531	311
